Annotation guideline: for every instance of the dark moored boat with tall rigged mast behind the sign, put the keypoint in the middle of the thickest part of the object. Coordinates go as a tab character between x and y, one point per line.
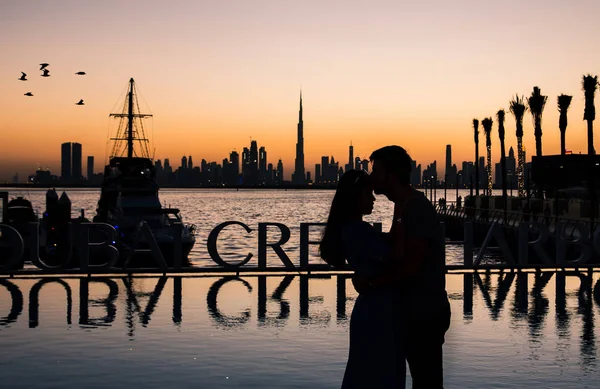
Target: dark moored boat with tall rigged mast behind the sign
129	198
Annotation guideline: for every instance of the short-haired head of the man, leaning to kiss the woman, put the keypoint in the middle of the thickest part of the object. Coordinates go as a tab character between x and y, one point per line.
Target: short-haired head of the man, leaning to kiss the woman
391	169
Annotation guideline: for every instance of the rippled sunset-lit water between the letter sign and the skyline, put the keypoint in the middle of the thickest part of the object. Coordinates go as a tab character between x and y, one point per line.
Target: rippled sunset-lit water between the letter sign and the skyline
206	208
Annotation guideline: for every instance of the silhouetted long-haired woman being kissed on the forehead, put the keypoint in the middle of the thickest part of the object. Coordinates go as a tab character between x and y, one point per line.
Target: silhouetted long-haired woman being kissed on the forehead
374	352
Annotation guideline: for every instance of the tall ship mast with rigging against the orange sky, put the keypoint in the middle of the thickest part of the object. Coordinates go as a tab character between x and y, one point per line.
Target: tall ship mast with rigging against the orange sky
131	135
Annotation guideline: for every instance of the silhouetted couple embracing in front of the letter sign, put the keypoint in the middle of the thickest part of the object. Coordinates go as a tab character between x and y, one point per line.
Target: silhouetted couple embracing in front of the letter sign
402	311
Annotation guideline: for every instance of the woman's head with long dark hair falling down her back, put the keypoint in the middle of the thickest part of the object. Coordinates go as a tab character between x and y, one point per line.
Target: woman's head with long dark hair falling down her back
353	198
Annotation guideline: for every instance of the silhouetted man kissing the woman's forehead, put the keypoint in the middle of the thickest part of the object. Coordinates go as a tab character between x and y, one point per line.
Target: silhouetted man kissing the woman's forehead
422	307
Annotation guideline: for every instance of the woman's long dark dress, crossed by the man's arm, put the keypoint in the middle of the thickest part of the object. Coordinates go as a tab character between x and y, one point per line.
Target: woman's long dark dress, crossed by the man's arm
373	355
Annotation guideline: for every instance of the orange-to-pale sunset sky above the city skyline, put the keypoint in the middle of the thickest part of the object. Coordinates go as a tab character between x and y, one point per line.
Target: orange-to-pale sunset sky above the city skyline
215	73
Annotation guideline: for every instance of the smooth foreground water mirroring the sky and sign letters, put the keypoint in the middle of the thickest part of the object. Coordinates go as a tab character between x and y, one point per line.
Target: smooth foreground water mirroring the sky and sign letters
508	330
